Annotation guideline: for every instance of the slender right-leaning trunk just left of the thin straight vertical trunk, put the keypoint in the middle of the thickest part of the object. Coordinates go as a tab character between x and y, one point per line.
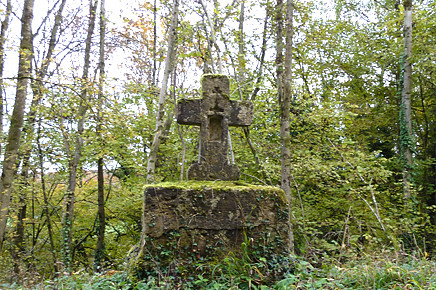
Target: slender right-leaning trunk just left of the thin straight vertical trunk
73	163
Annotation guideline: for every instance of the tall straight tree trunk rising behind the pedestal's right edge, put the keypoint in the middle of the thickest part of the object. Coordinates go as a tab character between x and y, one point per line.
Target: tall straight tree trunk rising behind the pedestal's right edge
284	79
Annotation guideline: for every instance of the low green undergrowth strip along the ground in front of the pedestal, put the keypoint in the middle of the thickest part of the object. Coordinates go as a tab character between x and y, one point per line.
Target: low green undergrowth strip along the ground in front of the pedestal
386	270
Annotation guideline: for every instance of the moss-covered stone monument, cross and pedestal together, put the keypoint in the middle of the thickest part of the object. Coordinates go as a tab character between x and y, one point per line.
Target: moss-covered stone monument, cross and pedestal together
212	214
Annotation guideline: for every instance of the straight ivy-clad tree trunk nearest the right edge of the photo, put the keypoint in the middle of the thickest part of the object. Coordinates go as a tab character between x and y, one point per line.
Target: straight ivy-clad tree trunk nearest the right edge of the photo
406	137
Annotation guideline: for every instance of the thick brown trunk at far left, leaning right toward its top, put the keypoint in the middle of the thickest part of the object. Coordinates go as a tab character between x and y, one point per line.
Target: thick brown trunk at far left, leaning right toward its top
13	141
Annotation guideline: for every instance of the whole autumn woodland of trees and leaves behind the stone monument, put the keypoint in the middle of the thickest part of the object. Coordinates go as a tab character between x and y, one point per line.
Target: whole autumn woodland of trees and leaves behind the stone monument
344	94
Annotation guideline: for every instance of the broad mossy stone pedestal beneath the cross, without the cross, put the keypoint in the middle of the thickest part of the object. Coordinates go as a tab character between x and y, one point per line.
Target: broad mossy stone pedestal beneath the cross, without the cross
187	222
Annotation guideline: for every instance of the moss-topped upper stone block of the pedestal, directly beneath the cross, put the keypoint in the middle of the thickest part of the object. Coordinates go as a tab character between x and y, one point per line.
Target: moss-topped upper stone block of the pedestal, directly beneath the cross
210	208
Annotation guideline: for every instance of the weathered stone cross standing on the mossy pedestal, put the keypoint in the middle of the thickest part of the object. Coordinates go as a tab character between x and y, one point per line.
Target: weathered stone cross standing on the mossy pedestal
214	113
